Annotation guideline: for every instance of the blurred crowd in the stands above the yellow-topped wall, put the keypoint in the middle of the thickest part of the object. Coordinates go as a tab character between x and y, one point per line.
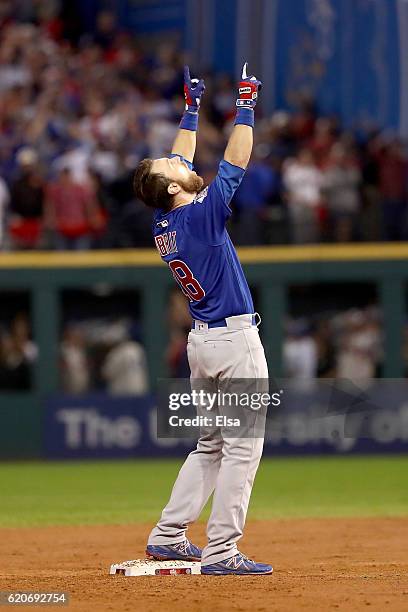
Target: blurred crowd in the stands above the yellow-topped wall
79	110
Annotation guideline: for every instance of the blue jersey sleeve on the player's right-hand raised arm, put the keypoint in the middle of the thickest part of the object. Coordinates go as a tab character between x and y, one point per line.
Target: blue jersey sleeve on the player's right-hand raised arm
211	210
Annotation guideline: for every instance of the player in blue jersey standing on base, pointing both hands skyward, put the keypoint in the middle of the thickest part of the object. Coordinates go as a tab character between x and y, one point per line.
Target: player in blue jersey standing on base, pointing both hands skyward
190	235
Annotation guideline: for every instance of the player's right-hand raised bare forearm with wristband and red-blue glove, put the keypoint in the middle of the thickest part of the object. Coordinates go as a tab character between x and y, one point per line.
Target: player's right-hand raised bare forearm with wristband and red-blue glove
239	147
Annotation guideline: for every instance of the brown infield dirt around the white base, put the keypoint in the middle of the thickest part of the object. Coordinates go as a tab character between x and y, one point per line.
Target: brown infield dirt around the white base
319	564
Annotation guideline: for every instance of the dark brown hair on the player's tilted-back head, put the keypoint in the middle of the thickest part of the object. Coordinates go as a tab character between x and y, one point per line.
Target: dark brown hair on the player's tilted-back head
151	187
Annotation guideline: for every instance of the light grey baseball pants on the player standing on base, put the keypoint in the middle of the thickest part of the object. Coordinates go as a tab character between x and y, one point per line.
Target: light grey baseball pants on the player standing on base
221	463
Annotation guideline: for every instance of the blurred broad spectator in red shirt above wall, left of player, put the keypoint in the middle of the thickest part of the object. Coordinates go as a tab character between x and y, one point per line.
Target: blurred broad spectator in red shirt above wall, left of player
71	212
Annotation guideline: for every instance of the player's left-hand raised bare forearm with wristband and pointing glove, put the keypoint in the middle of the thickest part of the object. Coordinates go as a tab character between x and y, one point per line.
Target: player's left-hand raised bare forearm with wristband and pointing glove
185	142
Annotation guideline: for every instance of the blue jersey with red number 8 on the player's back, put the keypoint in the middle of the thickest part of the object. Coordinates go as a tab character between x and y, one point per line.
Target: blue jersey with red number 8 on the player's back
194	242
